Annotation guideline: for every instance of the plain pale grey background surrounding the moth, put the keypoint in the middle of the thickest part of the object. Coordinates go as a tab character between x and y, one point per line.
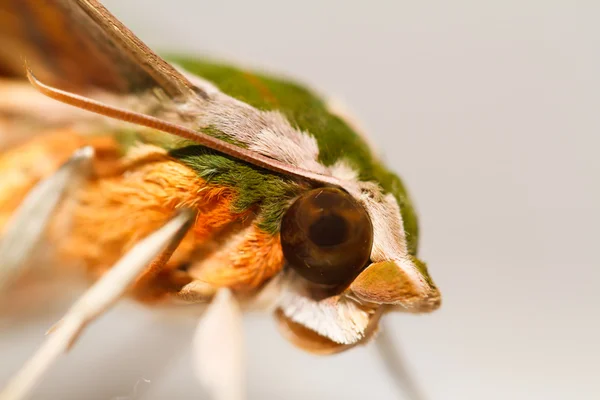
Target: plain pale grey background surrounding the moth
490	112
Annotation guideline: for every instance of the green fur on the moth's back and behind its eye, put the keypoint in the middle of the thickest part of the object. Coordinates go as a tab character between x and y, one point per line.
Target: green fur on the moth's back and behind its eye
306	111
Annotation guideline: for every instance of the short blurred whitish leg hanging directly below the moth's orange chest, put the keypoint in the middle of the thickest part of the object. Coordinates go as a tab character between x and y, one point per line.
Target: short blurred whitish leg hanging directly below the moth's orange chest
218	348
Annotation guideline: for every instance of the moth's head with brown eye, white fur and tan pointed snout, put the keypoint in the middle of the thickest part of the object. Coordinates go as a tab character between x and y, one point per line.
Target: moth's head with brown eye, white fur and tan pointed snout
349	261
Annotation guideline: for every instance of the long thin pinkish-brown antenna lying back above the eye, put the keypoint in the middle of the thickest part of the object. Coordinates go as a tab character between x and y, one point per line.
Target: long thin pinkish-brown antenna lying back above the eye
154	123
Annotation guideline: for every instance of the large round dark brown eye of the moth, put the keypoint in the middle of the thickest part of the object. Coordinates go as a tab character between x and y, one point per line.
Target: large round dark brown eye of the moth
327	236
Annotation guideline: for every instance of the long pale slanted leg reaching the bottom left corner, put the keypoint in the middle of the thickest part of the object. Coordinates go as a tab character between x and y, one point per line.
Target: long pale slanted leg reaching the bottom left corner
105	292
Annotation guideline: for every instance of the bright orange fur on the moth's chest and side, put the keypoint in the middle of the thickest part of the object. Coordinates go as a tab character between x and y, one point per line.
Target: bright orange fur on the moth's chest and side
131	197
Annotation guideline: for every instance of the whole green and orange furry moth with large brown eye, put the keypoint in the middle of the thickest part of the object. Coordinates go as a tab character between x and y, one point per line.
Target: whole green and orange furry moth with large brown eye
190	181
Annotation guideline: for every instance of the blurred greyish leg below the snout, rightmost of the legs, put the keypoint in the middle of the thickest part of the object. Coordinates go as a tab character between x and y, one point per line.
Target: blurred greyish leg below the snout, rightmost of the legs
397	369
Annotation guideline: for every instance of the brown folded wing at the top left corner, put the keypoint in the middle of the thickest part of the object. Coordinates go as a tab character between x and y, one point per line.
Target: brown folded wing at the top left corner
79	43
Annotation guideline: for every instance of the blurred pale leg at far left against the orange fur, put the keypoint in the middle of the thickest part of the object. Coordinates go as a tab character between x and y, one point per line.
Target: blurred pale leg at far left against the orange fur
27	224
